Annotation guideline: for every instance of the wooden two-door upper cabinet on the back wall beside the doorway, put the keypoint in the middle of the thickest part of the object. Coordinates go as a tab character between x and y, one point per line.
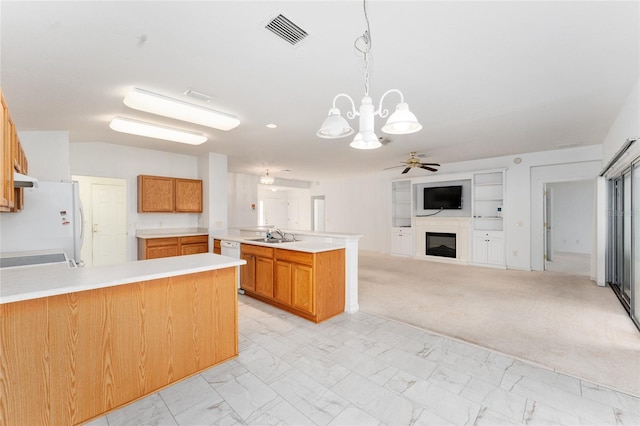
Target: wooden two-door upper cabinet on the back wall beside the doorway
162	194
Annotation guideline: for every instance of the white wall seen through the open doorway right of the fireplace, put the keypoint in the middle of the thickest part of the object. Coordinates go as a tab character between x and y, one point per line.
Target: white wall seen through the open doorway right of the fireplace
572	218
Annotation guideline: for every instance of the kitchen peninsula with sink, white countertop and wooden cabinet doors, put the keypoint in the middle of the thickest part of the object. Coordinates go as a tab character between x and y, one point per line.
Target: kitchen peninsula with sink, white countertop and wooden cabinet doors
302	276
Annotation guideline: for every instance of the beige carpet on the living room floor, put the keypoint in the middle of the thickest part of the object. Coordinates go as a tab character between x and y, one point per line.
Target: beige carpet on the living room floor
560	321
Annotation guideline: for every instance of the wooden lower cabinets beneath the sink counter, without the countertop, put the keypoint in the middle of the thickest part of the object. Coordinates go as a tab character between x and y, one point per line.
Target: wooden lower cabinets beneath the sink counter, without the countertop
311	285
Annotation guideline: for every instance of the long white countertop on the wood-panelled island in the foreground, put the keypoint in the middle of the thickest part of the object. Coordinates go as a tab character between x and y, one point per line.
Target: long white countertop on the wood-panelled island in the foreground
32	282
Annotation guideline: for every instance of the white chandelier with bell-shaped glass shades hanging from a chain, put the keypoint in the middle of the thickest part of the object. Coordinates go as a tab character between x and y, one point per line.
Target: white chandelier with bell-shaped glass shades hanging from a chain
402	121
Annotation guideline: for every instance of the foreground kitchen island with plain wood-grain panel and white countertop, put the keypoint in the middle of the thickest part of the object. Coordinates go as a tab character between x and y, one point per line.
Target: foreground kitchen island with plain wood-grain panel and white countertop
79	342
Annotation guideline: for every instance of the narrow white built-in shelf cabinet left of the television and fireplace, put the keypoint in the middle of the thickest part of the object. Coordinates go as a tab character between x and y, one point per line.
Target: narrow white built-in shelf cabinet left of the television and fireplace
401	232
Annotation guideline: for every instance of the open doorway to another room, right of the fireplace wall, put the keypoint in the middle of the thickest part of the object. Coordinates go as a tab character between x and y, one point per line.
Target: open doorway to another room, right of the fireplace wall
569	223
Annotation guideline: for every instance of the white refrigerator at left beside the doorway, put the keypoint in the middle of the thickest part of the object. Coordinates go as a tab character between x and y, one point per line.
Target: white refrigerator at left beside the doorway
51	220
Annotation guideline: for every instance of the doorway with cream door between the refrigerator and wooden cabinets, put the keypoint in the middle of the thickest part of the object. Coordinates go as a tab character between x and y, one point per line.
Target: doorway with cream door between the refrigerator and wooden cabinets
105	226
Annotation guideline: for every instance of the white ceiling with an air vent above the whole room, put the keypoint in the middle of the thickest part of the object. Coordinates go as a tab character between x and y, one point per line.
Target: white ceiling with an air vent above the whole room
485	79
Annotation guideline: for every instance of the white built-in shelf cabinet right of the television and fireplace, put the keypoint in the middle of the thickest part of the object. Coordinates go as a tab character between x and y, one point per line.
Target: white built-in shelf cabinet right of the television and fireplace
488	218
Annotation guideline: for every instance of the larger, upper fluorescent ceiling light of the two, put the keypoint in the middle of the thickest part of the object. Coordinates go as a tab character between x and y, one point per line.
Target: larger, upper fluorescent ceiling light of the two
157	104
